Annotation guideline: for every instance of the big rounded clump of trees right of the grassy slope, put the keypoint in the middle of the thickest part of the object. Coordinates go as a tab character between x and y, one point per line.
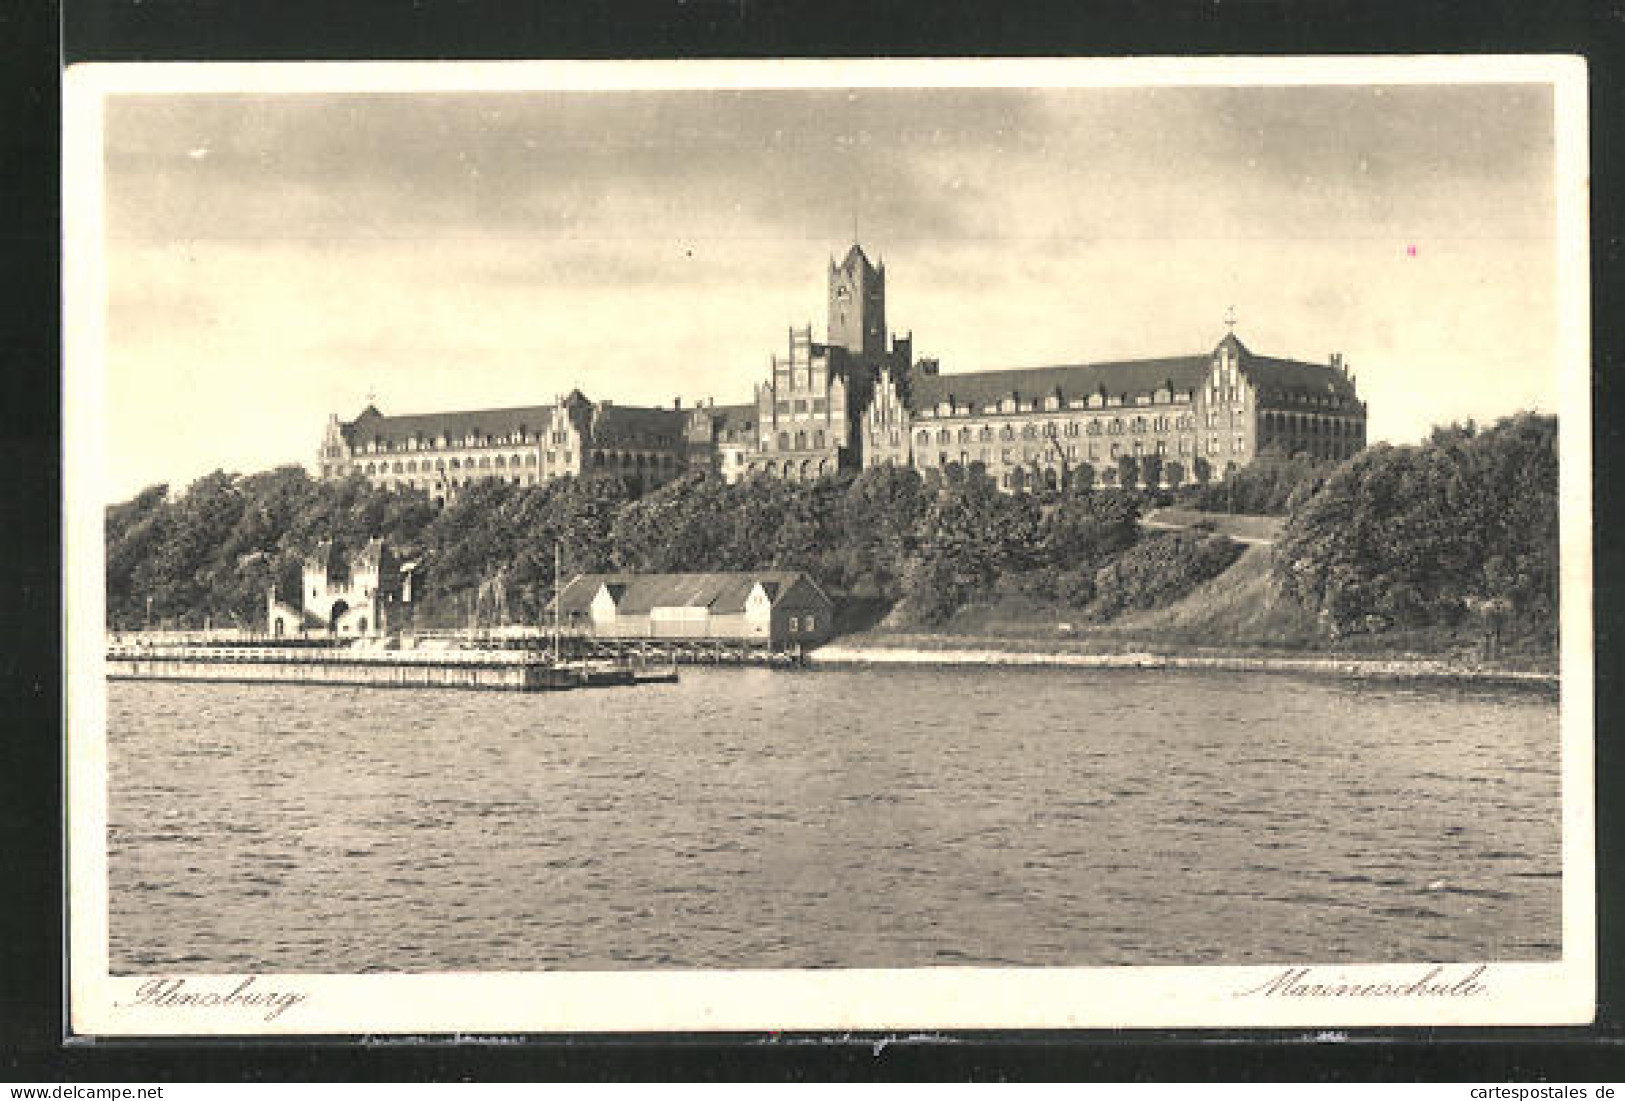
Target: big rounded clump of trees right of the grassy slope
1458	530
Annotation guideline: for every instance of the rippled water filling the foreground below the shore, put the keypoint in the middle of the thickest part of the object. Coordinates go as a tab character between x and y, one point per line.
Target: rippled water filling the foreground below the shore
760	819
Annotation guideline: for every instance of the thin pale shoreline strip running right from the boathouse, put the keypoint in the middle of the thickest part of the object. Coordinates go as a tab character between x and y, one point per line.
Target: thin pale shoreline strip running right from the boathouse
1363	668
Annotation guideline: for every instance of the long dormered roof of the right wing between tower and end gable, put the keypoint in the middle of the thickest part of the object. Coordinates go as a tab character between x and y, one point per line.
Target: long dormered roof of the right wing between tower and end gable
1072	381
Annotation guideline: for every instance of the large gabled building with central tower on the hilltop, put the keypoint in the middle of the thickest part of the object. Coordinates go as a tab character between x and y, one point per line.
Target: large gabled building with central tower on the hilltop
860	400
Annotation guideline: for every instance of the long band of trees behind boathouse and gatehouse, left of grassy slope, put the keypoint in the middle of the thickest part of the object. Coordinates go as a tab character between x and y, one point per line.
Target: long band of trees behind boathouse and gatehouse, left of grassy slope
875	540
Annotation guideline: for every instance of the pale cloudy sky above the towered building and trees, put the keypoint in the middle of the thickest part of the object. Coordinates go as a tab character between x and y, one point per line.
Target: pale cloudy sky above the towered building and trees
275	259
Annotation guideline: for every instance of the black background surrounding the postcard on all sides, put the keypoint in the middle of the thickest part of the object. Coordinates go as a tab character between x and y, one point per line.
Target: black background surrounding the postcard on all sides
32	948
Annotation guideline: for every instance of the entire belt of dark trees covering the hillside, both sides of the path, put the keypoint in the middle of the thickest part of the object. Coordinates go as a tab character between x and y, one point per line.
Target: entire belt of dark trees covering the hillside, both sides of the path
1462	529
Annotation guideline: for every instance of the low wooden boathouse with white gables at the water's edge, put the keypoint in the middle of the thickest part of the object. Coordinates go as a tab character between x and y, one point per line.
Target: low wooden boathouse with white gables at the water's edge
776	608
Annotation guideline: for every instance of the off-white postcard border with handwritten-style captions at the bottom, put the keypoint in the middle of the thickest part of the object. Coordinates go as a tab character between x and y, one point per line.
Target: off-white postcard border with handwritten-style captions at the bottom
1288	996
